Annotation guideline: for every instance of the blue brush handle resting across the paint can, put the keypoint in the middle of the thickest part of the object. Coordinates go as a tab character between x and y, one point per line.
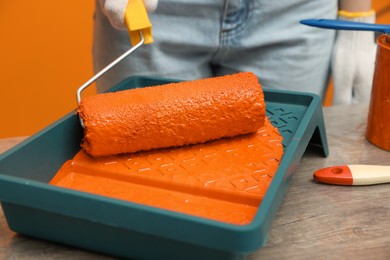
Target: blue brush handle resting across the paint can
346	25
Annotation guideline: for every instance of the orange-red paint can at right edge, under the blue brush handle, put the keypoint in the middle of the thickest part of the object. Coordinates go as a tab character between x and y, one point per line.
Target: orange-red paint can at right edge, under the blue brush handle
378	127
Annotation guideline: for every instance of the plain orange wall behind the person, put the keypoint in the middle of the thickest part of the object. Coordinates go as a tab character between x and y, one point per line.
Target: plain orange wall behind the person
46	54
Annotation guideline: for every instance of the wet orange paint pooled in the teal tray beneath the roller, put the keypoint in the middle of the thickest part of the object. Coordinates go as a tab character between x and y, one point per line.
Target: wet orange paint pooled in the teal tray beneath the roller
224	179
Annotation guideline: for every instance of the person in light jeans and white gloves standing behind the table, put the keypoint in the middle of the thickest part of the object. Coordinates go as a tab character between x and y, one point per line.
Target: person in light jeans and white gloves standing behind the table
201	38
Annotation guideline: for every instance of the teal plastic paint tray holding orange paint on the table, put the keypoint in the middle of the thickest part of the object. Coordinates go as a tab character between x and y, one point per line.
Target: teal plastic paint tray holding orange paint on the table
36	208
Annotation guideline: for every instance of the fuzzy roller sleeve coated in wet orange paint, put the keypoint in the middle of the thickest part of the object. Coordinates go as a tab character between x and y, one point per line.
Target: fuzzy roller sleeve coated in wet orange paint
171	115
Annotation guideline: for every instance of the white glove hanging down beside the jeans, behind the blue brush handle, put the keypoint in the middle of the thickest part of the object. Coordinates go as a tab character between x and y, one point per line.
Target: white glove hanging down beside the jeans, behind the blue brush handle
353	63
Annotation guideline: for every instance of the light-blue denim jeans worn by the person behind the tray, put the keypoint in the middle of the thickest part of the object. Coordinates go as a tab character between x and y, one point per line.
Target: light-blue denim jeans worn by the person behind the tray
202	38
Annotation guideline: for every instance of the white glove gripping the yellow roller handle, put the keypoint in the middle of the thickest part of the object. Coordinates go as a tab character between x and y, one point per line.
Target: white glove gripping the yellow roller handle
115	11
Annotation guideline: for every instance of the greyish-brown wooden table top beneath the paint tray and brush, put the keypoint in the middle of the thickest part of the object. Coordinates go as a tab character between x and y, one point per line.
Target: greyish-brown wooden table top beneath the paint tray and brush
315	221
